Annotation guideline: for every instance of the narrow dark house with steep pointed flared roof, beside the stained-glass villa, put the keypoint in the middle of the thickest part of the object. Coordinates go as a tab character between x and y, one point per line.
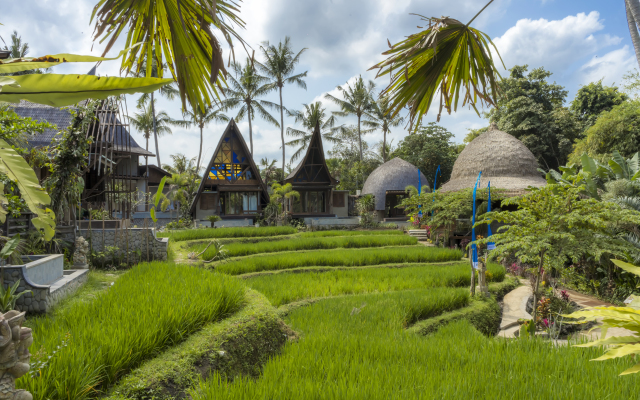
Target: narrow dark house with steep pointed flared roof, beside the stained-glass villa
312	179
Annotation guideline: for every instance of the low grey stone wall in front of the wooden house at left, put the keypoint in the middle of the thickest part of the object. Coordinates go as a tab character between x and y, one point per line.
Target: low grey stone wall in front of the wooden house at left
132	239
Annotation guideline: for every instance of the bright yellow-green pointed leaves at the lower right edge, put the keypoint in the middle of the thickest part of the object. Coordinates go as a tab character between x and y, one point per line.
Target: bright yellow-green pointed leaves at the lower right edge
615	317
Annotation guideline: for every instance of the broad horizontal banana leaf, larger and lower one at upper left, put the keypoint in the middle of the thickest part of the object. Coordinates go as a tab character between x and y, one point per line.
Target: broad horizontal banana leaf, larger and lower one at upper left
63	90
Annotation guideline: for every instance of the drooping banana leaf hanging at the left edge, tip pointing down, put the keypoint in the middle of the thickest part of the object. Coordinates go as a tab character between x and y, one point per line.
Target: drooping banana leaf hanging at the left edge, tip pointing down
16	168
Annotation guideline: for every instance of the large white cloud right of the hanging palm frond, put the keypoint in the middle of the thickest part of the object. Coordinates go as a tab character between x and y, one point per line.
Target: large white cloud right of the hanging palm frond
557	44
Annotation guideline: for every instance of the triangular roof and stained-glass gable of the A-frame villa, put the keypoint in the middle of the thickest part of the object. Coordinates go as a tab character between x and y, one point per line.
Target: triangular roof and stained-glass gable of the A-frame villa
231	163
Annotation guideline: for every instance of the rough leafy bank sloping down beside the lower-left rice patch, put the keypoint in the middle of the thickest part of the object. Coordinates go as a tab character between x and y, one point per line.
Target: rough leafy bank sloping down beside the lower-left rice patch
248	339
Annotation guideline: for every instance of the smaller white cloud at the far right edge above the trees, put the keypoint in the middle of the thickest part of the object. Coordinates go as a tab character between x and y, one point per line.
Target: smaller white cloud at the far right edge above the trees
610	67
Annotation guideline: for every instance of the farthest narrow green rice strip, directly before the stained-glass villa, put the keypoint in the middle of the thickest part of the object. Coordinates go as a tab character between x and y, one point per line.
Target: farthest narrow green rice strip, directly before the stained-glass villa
211	233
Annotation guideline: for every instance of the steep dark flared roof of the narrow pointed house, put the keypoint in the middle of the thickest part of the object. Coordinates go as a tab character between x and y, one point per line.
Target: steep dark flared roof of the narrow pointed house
313	167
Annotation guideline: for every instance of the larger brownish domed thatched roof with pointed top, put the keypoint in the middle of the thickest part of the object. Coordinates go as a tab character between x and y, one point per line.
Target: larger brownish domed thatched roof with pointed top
503	160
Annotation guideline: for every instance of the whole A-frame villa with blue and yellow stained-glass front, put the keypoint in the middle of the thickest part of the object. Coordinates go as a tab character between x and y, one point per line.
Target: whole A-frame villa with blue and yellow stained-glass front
231	185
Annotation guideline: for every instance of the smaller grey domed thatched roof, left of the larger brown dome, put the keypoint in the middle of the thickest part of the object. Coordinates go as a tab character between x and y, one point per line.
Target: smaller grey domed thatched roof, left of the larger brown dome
395	175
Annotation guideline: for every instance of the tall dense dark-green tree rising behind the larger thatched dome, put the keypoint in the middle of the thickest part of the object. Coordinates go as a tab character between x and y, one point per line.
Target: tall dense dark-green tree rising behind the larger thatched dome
532	109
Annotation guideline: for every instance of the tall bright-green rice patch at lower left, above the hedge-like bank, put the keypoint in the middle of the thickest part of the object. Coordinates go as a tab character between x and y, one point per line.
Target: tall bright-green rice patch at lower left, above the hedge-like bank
151	307
